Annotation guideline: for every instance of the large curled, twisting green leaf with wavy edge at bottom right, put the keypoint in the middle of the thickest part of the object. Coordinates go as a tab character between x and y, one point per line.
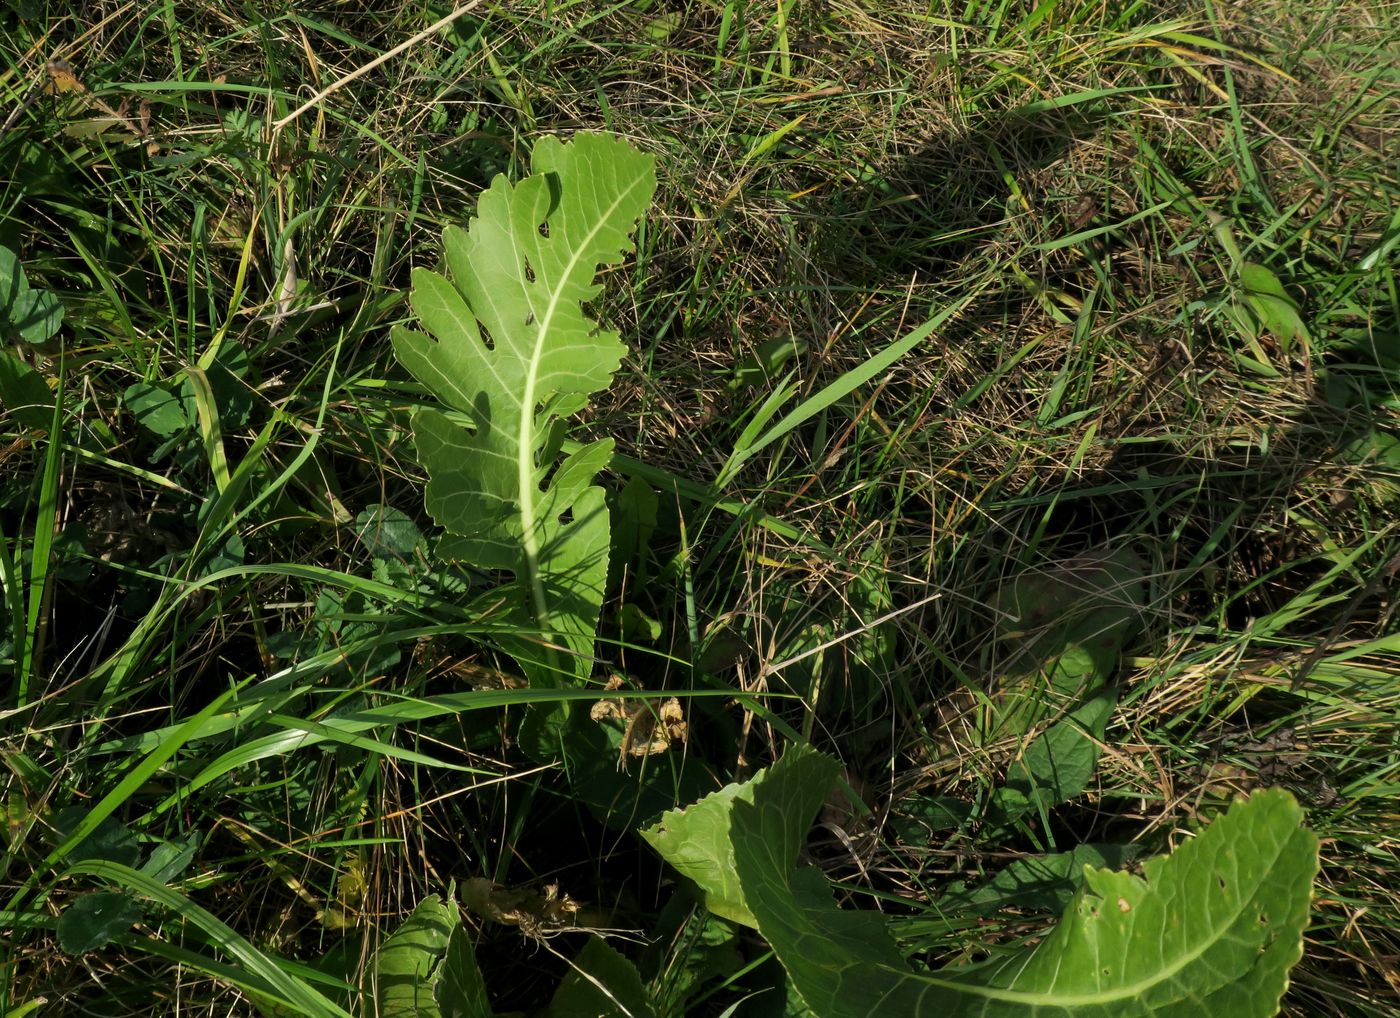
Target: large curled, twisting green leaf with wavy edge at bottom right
1210	930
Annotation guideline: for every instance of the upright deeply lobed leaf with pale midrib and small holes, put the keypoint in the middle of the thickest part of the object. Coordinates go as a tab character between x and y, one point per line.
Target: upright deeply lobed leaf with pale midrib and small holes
512	348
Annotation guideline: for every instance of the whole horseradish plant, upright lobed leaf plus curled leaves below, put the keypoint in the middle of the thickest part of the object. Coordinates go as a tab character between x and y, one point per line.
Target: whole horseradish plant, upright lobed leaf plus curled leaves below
512	354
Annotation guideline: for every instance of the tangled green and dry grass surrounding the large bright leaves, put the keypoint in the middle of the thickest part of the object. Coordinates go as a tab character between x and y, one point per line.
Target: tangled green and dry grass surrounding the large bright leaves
1146	459
